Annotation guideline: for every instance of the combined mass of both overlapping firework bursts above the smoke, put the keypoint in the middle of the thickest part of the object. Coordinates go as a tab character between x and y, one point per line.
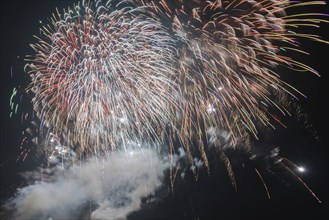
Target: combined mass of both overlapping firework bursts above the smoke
165	73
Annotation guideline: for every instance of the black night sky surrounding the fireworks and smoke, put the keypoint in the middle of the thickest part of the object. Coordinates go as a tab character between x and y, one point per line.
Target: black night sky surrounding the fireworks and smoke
210	197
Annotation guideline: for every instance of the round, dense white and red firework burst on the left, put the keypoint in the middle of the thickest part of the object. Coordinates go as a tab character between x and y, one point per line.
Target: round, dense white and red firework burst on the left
103	78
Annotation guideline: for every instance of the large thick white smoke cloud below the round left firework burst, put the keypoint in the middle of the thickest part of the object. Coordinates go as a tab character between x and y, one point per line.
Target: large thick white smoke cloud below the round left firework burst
114	185
